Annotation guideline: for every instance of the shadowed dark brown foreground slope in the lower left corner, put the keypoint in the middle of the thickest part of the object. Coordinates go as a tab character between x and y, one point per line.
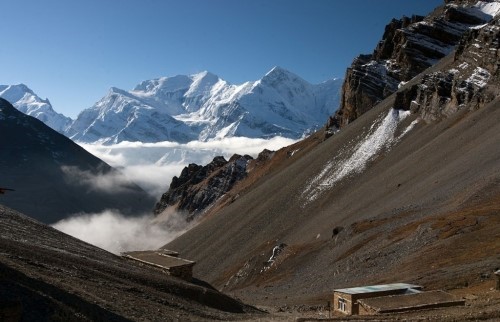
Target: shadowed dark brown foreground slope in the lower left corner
56	277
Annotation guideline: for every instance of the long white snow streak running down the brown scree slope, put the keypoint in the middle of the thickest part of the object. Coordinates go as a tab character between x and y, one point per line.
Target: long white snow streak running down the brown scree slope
343	166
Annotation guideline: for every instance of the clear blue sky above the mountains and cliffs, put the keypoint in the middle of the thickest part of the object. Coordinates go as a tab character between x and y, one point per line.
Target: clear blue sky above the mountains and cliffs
72	52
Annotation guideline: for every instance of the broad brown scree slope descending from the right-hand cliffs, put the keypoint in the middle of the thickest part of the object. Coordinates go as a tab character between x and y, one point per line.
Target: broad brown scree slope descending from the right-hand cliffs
400	208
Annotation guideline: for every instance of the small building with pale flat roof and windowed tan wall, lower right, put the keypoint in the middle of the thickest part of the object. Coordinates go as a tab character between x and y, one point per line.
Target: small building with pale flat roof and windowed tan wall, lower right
346	300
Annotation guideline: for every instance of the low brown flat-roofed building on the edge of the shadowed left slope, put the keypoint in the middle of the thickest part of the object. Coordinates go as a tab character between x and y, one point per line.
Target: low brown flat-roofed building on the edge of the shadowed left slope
167	261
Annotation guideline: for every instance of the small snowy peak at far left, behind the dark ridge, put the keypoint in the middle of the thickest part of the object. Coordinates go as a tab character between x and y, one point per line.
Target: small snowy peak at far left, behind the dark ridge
26	101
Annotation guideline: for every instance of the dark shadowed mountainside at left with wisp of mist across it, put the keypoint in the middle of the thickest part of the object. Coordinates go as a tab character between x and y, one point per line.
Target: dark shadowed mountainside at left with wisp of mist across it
54	177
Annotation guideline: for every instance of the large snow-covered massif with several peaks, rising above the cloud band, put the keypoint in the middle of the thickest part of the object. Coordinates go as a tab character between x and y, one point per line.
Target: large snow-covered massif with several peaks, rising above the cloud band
204	106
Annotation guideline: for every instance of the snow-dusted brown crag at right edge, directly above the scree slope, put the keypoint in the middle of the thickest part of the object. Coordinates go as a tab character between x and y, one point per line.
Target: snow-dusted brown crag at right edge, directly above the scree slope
473	79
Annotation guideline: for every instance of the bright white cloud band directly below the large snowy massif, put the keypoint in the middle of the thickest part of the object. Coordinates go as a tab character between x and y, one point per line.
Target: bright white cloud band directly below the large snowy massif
152	165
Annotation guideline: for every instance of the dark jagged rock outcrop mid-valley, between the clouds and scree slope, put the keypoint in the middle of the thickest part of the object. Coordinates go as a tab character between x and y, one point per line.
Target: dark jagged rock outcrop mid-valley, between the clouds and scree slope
198	186
